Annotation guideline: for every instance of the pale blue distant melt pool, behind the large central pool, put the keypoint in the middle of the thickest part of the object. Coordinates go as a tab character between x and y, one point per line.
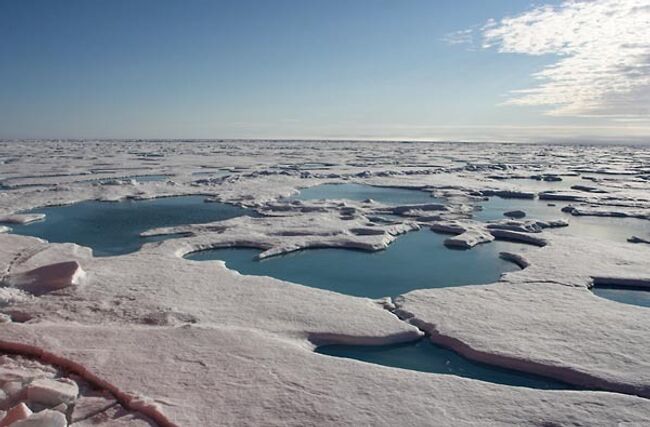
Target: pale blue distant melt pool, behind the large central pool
360	192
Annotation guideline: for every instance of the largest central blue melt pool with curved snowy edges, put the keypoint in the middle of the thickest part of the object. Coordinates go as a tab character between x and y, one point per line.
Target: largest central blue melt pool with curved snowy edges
416	260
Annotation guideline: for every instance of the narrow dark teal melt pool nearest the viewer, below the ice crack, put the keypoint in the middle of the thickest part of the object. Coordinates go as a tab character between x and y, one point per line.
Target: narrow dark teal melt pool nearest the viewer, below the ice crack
425	356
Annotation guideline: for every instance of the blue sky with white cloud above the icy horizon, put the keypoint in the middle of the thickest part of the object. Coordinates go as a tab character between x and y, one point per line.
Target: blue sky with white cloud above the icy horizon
473	70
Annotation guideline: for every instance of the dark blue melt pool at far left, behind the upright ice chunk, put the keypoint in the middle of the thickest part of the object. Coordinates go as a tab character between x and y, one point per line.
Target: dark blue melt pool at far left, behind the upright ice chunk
113	228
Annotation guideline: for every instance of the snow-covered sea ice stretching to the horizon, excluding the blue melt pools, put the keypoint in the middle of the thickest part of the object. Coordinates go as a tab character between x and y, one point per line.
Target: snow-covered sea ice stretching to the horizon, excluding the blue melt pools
152	338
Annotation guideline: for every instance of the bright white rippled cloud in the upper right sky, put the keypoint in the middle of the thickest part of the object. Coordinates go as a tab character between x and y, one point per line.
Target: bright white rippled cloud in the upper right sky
603	49
